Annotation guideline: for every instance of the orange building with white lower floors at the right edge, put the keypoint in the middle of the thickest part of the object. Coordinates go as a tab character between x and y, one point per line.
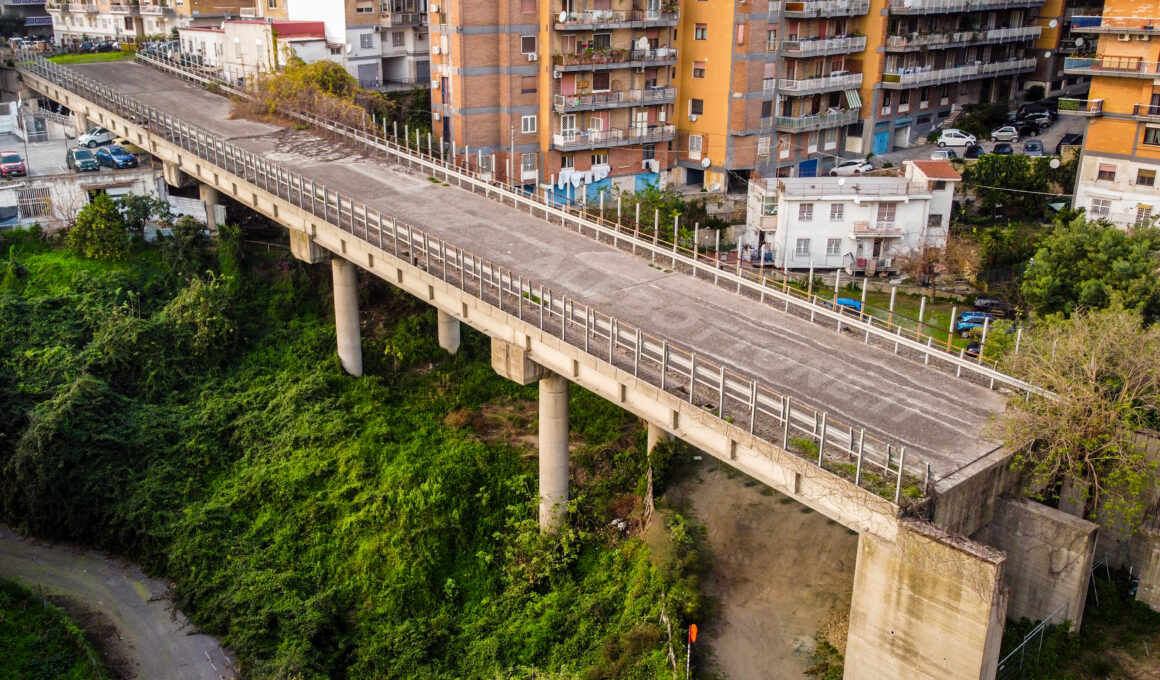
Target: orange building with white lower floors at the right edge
1121	155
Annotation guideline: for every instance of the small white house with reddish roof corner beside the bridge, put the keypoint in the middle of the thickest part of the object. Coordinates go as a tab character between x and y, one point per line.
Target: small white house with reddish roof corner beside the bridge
858	223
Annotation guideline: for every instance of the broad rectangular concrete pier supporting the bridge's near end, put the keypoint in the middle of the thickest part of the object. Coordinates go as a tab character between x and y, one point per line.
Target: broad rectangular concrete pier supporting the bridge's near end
929	605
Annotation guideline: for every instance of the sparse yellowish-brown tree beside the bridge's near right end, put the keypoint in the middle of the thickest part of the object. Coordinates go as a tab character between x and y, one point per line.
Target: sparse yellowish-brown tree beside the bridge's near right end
1104	372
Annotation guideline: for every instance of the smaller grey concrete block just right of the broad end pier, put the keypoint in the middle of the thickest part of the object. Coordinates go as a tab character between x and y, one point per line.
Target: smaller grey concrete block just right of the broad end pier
1049	558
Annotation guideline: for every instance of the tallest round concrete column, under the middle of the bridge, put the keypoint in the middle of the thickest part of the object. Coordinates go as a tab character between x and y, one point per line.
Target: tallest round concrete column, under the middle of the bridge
554	452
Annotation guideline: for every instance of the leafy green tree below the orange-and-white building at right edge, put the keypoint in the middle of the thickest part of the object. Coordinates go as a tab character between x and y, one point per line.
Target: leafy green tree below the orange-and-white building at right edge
1094	265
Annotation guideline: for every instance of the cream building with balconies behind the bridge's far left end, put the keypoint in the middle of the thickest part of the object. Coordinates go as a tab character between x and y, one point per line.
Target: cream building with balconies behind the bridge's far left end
130	21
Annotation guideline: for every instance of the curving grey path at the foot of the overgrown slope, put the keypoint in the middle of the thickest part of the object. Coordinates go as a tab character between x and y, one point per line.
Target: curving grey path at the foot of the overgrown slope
129	616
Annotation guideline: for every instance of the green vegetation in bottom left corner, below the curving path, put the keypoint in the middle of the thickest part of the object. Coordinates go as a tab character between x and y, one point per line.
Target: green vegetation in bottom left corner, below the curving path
40	642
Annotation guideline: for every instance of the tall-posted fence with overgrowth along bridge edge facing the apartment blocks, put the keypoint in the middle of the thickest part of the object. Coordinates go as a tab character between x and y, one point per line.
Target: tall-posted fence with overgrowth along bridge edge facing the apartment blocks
636	233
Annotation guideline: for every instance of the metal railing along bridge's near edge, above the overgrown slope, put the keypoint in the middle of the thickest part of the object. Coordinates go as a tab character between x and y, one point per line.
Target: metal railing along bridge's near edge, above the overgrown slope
842	448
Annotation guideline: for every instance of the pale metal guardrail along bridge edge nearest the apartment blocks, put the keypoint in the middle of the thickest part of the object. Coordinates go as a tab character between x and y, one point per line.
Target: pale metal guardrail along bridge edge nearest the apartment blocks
752	284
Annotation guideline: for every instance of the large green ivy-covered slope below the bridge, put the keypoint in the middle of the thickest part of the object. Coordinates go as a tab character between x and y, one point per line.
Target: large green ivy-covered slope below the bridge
327	526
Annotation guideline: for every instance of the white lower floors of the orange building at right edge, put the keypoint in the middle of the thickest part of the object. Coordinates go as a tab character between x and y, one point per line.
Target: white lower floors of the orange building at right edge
1122	191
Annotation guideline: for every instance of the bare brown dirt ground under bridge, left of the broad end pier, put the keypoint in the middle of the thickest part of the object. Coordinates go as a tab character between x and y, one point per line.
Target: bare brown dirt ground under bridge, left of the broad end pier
781	574
